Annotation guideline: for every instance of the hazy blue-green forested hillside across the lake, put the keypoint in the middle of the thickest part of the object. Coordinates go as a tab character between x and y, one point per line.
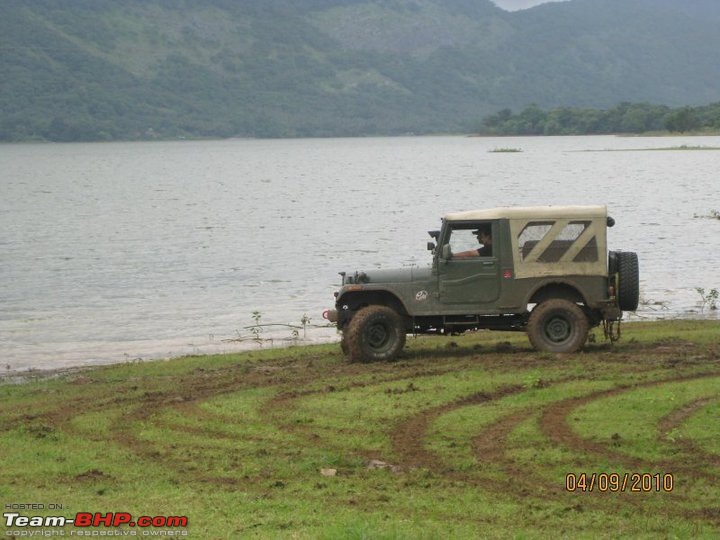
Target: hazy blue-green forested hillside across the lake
142	69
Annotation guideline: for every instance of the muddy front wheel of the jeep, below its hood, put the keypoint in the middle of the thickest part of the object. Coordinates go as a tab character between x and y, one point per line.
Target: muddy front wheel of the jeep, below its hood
375	333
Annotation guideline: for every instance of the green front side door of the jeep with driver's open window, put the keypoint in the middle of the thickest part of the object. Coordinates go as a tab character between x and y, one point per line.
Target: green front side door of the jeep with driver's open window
468	268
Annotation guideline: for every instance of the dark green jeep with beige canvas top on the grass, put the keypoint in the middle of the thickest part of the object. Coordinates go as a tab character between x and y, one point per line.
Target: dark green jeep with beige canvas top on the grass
543	270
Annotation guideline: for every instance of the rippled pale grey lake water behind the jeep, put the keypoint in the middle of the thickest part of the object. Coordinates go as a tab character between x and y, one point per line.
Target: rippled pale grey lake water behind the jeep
119	251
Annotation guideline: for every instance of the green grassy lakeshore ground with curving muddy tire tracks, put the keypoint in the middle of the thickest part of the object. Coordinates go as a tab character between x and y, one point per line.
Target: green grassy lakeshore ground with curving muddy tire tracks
463	437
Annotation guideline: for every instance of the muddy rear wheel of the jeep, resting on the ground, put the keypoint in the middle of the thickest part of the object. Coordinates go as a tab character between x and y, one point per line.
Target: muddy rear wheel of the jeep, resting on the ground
557	326
